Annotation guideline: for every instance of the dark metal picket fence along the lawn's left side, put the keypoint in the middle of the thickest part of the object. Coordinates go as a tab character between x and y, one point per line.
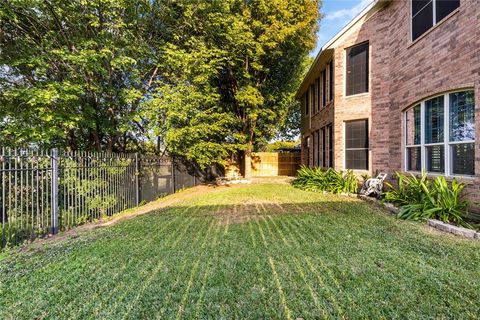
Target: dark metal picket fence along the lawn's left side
44	191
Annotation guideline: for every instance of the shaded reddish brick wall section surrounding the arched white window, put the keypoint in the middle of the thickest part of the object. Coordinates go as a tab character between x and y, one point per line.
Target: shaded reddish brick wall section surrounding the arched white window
446	58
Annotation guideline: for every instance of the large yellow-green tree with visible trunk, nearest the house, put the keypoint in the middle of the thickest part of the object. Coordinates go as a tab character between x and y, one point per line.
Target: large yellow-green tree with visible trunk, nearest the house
230	86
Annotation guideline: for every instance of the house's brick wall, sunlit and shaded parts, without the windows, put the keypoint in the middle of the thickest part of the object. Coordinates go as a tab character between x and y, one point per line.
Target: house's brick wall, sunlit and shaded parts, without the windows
402	73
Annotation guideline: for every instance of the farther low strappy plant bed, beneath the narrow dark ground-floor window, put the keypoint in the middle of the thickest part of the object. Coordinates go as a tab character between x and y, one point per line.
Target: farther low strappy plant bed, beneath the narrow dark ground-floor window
317	179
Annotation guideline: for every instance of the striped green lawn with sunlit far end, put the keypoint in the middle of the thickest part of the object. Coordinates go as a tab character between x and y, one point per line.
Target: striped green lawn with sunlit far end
259	251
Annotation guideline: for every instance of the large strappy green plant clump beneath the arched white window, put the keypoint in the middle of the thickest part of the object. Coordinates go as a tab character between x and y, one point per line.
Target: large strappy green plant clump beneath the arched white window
421	198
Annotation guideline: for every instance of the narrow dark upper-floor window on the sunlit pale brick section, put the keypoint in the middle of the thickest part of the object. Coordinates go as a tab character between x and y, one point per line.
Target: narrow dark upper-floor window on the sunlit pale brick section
357	70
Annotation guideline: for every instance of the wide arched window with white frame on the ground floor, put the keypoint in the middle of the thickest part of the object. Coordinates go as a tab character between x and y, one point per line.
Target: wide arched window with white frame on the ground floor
440	135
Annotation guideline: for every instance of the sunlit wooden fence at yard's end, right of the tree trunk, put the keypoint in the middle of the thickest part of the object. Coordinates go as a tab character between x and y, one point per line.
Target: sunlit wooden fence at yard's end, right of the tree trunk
268	164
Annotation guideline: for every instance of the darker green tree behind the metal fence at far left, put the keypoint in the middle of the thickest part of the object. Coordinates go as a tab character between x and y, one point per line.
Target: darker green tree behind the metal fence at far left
74	73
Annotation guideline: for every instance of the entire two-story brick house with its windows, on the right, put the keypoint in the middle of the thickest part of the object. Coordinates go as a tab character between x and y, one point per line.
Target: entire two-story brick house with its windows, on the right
396	90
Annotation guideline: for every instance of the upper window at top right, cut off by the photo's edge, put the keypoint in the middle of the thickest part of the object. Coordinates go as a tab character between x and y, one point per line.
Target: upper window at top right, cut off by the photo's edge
427	13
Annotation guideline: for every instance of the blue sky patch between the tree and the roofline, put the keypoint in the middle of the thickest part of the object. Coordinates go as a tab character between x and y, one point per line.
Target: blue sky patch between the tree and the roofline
336	14
